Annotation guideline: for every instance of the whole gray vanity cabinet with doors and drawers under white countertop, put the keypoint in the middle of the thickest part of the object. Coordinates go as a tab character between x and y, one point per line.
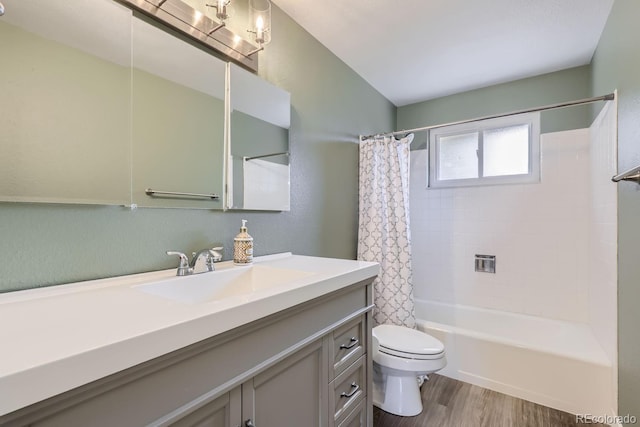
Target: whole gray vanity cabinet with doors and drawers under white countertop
308	365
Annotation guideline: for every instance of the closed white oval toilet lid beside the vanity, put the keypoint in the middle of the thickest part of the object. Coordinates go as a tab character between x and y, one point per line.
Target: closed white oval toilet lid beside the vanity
407	340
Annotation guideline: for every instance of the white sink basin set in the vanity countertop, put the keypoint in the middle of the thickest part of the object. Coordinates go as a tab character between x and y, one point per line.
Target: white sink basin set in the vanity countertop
222	284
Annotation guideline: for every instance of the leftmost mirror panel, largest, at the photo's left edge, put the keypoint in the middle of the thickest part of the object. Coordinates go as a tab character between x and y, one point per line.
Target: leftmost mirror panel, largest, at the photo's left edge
65	119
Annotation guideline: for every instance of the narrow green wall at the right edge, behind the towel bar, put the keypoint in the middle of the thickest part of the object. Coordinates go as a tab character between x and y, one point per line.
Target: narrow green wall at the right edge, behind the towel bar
616	65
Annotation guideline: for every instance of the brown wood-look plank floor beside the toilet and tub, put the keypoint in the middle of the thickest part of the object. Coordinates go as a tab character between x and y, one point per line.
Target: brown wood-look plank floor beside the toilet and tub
451	403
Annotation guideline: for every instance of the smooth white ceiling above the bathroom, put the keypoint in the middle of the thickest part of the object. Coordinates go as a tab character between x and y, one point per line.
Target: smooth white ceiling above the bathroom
415	50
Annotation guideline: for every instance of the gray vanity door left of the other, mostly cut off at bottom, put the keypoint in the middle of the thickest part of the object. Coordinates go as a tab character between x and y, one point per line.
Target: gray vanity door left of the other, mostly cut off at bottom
222	412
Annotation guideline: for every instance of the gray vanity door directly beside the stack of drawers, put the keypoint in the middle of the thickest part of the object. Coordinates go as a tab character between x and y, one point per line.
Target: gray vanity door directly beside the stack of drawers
292	392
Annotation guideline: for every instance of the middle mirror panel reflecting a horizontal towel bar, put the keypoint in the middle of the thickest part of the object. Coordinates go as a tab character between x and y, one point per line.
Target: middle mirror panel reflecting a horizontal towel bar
177	121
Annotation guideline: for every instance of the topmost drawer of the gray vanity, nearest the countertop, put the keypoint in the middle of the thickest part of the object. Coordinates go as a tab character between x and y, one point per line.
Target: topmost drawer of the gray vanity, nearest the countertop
348	344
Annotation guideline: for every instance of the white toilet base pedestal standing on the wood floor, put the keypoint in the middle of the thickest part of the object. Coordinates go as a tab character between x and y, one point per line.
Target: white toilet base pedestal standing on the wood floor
396	393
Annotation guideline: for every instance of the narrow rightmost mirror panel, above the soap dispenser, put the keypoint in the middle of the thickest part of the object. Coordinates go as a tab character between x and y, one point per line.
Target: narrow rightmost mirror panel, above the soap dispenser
258	163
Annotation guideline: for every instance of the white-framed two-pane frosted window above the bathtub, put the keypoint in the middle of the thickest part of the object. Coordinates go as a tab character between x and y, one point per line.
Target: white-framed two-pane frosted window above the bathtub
495	151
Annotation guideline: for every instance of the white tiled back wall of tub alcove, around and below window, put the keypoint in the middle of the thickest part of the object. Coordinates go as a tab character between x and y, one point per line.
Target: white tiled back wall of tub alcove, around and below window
538	232
